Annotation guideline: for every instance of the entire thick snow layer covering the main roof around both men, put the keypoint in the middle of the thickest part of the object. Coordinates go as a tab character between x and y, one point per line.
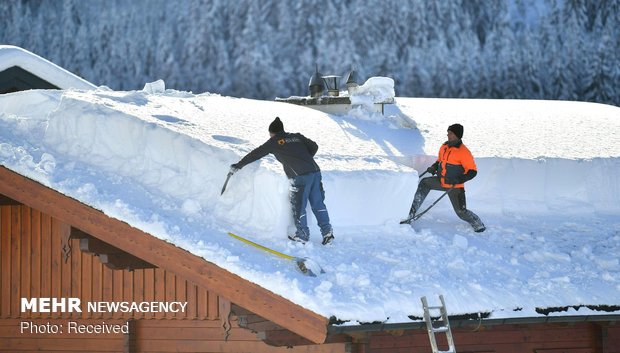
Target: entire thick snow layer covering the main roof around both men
547	190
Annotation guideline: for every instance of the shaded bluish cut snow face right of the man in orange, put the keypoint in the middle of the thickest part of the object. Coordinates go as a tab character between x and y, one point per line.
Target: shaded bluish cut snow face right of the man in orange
552	185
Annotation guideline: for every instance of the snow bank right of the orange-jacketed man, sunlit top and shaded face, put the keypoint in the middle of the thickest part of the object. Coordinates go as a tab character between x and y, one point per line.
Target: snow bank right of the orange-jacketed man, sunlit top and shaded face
532	156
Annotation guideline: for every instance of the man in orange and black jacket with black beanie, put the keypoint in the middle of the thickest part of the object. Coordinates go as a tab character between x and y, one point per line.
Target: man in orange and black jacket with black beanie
454	166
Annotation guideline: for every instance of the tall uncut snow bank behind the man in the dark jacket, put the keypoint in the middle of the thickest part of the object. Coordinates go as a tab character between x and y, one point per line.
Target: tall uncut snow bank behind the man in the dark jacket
186	155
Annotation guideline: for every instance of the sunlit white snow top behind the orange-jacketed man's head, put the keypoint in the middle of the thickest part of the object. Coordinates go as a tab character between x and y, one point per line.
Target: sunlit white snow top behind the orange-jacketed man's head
525	129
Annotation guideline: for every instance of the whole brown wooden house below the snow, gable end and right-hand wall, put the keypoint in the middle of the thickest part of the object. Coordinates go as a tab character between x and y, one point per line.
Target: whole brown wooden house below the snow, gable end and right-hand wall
55	247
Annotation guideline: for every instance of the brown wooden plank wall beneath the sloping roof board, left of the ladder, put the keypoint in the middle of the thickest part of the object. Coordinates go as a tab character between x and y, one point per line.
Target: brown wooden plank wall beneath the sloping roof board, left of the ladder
33	265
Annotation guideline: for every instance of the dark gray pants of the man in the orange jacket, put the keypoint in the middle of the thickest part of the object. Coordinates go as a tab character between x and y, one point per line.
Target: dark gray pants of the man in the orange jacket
457	198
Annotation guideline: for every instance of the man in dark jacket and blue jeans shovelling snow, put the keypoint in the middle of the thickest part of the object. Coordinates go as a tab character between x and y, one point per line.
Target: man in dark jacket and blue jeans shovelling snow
296	152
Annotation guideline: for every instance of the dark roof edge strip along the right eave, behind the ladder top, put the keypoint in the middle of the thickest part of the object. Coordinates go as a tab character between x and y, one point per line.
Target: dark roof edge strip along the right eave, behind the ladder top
474	324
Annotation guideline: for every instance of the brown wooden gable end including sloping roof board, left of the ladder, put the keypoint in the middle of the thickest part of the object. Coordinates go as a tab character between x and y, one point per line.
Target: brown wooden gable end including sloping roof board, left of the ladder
53	246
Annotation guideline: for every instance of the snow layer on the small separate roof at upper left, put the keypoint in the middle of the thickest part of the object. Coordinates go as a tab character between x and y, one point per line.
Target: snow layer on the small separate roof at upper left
11	56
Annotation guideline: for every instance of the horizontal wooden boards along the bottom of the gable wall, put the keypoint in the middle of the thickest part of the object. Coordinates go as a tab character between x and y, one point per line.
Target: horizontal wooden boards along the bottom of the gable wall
153	336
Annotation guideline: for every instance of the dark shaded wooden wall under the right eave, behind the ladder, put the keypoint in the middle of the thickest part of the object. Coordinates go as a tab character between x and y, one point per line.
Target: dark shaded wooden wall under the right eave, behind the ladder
539	338
